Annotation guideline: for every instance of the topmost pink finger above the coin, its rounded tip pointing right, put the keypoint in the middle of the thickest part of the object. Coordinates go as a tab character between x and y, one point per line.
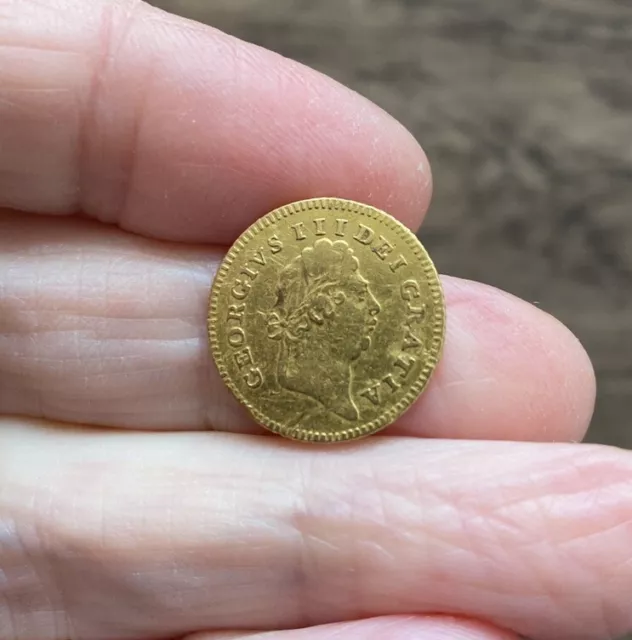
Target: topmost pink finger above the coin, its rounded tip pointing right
174	130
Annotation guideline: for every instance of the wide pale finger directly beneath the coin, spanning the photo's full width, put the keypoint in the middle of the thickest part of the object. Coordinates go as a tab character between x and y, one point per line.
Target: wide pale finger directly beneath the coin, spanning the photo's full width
166	534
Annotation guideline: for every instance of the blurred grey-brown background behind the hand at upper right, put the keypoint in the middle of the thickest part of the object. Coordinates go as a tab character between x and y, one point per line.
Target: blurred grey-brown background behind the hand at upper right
525	110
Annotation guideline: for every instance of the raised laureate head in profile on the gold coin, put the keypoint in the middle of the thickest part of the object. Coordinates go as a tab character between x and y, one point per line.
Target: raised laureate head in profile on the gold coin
323	317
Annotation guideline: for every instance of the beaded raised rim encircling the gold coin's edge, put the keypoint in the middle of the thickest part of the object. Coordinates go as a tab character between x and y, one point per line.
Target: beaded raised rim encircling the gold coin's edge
431	358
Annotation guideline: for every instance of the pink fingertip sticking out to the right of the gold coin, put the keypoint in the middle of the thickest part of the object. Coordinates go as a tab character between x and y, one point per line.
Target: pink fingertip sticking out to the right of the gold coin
509	372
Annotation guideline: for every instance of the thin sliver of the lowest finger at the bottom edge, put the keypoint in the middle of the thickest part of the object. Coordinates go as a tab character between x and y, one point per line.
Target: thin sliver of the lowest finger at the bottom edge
387	628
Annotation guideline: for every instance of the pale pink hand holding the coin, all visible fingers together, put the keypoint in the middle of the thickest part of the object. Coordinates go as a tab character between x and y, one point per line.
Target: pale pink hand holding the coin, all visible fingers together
137	500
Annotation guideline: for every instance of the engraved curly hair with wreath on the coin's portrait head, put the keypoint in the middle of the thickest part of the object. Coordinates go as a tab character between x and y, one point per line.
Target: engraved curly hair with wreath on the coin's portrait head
308	290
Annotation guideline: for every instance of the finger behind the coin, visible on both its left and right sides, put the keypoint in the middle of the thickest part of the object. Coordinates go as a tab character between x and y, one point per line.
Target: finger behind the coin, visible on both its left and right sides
98	327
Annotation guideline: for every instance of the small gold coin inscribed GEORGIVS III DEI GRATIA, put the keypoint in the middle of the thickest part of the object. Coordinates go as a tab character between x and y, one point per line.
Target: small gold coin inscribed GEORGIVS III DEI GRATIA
326	320
